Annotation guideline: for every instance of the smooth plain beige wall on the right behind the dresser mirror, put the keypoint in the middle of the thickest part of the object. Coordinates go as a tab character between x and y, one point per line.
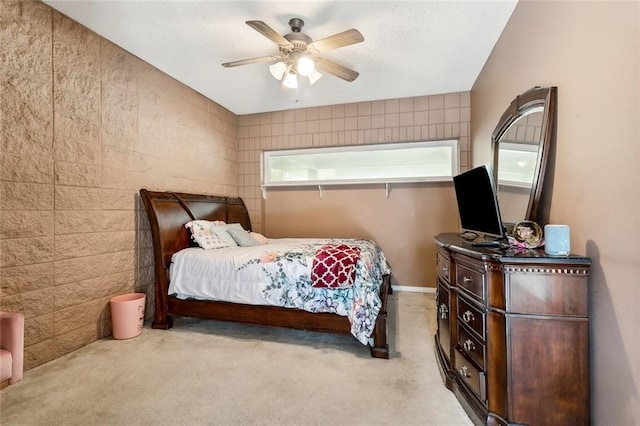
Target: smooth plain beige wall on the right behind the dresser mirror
591	52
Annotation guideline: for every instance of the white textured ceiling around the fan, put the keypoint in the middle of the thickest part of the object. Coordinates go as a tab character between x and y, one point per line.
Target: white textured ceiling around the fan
411	48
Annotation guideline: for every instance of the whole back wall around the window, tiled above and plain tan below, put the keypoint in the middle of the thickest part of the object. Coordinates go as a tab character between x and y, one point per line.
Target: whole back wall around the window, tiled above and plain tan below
405	223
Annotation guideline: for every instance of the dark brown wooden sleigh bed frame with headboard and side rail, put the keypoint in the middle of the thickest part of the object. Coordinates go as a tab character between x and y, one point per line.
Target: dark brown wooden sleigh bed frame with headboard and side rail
168	212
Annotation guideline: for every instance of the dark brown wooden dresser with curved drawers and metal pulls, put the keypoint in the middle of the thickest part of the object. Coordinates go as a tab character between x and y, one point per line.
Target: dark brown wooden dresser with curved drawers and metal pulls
512	340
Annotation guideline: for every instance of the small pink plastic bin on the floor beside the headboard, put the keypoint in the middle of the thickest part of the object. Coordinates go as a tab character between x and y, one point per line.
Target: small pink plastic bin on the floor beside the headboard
127	315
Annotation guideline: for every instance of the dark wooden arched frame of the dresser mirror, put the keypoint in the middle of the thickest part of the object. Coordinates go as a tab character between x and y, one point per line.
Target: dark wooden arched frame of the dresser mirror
534	98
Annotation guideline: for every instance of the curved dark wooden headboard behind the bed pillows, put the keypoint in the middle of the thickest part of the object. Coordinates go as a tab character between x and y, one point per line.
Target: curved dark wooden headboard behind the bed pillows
169	211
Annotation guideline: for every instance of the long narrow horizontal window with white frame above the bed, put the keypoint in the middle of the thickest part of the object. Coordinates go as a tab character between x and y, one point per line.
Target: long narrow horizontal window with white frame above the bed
381	163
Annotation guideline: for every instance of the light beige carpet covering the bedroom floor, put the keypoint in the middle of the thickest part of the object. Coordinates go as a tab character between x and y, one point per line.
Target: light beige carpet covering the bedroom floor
214	373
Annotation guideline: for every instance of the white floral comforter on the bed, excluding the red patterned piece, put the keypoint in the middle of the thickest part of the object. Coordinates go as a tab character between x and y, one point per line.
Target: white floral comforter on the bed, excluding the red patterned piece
279	274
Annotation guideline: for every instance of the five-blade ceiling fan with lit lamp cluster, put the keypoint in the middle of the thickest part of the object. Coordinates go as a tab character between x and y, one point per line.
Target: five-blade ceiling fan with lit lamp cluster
299	54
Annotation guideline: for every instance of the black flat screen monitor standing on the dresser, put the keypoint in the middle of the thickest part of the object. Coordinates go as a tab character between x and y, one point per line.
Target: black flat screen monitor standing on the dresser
478	203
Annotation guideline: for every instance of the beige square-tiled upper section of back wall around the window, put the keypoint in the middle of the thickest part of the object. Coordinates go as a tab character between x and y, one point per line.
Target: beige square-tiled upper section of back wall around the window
396	120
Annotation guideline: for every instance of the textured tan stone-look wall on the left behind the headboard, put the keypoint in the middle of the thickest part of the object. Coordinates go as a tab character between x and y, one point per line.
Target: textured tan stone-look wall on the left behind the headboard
83	126
